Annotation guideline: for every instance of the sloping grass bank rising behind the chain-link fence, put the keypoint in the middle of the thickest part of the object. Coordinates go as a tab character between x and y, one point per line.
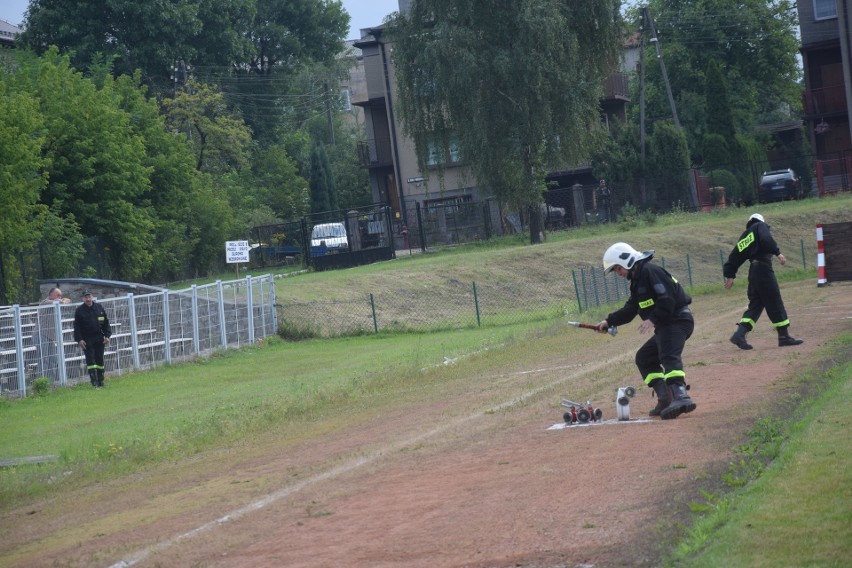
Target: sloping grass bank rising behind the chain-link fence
513	260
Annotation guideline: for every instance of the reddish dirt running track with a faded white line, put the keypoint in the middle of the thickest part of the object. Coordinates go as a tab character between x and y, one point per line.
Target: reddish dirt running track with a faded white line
473	480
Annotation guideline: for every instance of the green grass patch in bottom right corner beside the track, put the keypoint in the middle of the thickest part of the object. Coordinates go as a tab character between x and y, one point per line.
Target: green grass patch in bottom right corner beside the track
798	511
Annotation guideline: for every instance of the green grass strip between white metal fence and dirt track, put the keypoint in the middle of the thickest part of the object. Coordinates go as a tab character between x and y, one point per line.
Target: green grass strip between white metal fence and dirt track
147	418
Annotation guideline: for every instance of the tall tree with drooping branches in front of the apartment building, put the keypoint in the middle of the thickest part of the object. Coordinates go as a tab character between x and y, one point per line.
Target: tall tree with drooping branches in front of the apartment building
515	84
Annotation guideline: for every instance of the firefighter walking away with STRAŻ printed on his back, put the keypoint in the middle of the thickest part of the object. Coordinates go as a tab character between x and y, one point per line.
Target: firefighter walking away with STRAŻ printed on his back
758	247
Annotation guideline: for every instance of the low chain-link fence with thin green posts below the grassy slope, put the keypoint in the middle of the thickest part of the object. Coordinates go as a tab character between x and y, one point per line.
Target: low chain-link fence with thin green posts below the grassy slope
459	305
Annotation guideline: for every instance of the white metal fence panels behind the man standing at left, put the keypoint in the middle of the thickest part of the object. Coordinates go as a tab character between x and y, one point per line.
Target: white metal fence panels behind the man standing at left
149	329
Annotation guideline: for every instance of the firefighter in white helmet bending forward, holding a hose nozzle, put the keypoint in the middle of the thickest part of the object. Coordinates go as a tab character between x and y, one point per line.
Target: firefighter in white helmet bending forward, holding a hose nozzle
663	305
